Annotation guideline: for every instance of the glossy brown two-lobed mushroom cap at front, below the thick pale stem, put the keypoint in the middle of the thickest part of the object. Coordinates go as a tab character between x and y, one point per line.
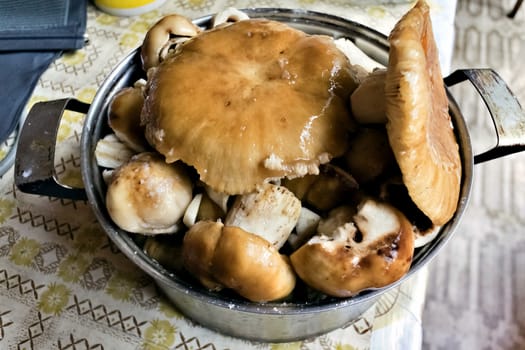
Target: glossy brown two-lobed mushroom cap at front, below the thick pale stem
239	260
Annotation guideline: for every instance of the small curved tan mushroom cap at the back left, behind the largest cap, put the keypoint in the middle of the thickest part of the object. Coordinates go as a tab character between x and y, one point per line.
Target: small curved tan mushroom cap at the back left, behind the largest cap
160	36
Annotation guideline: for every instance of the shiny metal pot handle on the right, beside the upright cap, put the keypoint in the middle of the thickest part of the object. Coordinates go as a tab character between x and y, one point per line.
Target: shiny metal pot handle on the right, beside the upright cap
504	108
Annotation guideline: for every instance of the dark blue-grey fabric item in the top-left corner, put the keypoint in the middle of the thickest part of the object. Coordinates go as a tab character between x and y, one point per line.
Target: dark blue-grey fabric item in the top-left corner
32	34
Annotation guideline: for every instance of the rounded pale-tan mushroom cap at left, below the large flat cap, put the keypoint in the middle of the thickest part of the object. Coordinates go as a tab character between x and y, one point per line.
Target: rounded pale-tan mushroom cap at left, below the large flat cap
148	196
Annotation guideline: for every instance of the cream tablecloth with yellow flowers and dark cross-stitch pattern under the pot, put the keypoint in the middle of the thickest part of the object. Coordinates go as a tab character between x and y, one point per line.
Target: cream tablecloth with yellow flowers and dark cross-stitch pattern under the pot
64	285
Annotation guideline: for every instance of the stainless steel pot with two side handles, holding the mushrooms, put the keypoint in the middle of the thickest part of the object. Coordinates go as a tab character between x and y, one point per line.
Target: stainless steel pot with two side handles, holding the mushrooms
275	322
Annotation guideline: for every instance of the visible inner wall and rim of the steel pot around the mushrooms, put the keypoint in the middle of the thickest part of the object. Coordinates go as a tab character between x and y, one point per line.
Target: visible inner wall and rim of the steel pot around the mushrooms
129	70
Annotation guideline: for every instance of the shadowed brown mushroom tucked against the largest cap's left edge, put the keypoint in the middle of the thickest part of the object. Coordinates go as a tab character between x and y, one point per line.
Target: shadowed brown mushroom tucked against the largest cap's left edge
124	117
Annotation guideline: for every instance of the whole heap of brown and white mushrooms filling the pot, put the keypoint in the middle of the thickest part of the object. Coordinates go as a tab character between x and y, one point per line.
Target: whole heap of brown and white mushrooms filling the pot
274	154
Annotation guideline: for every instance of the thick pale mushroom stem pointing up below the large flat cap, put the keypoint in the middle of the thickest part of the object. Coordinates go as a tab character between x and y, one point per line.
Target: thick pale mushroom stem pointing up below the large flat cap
270	212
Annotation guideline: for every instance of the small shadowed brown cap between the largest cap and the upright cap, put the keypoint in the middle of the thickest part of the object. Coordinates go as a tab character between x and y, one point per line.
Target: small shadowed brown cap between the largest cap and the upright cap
368	100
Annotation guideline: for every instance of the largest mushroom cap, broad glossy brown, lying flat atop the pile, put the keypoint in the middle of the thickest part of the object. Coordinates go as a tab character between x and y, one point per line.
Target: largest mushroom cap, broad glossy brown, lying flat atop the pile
250	101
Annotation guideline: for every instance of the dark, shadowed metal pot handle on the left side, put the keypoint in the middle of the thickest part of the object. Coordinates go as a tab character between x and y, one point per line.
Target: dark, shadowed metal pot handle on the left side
34	161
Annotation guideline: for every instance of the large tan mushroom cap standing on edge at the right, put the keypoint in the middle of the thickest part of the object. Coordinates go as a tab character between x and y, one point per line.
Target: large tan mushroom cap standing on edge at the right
419	127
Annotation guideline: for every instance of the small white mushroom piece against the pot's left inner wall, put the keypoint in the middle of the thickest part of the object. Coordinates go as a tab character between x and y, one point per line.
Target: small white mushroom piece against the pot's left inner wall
111	153
